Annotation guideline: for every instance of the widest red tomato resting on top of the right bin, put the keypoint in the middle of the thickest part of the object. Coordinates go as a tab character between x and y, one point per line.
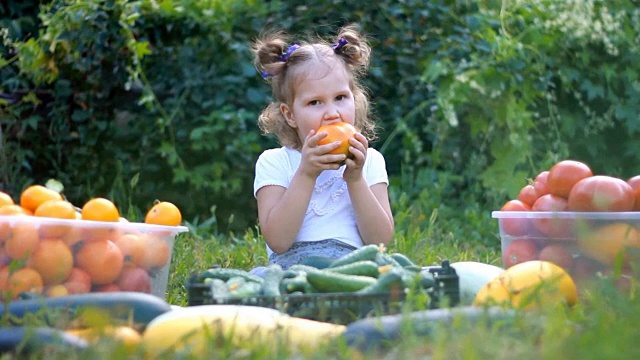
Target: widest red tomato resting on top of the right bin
601	193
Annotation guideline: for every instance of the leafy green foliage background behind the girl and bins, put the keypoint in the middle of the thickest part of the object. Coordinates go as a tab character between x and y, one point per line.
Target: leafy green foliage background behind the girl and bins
138	100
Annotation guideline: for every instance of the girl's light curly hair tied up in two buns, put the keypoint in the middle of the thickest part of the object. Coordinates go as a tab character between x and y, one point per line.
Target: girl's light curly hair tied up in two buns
352	55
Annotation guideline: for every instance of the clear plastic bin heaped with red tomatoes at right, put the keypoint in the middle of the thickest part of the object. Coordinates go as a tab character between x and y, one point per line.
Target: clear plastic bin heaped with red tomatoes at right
588	224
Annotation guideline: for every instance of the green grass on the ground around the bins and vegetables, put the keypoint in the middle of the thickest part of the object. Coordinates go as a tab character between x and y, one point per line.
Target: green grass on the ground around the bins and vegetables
604	324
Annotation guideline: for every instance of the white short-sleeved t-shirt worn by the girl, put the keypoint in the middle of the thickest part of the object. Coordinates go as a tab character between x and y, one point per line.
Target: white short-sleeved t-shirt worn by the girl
330	214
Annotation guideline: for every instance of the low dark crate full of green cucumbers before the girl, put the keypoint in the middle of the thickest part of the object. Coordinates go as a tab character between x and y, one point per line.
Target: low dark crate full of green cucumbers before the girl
366	282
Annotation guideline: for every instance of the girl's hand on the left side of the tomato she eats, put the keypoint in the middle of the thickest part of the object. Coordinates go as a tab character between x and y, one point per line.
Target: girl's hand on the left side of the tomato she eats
316	158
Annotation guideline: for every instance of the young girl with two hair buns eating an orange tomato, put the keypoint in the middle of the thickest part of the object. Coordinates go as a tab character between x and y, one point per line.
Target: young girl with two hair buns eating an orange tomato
309	203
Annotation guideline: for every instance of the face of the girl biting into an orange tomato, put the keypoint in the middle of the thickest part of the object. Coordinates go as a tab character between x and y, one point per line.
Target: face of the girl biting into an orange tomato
322	96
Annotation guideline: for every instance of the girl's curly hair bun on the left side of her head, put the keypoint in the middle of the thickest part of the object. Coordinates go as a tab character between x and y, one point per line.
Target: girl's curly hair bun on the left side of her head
267	51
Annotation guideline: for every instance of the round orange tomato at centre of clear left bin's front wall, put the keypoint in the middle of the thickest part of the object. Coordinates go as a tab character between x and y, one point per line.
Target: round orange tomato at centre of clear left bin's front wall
102	259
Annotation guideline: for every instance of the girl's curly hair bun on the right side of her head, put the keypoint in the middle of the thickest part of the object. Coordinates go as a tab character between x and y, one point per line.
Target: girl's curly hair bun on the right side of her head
355	50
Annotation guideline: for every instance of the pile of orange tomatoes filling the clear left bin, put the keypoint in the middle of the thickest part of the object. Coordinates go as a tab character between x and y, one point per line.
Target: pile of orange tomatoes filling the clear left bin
50	247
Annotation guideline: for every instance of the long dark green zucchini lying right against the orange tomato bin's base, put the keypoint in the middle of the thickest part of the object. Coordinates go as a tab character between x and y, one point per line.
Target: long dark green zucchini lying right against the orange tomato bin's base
139	307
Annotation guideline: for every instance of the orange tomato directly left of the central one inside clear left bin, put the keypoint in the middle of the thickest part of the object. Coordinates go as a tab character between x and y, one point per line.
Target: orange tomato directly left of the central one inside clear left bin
53	260
